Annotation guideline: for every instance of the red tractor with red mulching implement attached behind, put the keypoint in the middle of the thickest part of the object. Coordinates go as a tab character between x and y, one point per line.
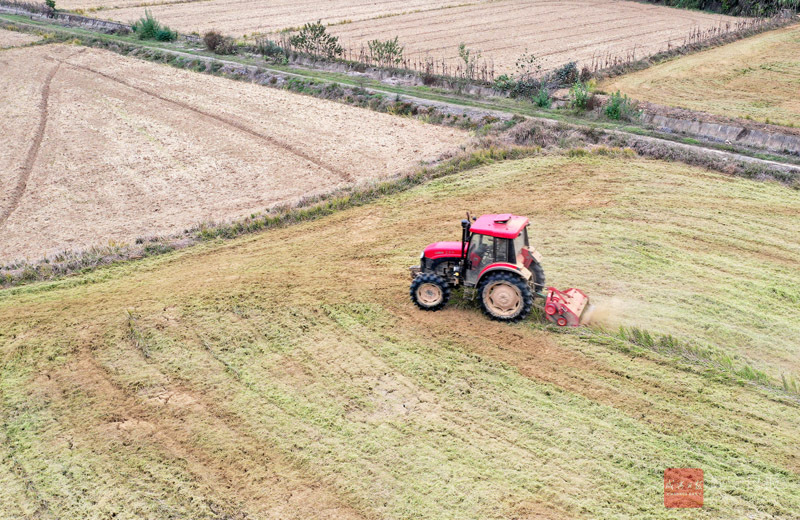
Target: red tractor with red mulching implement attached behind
494	261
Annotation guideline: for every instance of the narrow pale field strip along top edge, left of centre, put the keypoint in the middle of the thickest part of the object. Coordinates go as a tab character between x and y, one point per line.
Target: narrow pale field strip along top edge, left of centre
239	17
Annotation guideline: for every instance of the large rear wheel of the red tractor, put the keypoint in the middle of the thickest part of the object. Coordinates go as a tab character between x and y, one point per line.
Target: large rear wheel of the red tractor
505	297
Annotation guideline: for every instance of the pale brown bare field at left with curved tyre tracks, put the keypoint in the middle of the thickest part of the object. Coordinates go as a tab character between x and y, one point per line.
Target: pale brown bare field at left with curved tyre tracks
97	147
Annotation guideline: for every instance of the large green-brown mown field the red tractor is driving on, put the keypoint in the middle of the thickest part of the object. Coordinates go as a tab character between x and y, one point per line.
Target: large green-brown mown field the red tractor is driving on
286	374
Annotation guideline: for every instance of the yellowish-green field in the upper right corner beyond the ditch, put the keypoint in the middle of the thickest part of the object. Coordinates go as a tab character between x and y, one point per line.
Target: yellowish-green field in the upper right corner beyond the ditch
758	78
